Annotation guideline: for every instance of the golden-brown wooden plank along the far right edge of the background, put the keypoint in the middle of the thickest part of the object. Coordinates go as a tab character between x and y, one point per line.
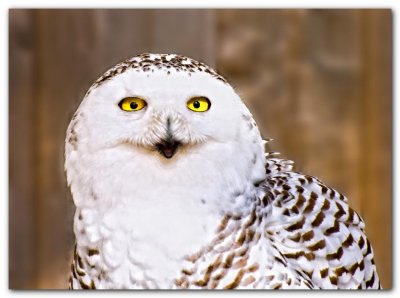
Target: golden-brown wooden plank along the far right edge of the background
376	171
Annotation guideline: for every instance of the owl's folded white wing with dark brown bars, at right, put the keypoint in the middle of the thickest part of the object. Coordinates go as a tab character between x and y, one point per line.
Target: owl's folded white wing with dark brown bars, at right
315	232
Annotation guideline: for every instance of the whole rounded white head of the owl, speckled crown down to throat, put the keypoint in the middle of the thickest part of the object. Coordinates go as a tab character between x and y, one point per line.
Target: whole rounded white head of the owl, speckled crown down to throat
163	118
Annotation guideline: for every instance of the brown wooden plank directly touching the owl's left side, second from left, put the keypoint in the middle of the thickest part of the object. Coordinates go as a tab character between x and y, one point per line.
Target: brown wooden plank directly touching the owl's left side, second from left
66	52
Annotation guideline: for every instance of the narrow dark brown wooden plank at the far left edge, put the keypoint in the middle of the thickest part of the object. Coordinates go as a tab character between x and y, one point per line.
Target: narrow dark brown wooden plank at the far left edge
21	150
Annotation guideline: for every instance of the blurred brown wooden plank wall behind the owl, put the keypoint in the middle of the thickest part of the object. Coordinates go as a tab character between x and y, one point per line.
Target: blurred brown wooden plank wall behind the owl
317	81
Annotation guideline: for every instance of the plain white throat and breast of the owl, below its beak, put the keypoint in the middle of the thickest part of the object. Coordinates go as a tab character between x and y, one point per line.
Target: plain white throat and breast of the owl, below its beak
163	209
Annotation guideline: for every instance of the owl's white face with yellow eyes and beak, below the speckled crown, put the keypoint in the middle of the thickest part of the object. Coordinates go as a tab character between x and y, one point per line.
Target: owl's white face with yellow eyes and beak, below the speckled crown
162	113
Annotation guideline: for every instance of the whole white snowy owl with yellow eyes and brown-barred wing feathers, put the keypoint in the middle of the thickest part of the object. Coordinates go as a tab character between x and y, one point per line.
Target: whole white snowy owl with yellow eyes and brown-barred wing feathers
173	189
